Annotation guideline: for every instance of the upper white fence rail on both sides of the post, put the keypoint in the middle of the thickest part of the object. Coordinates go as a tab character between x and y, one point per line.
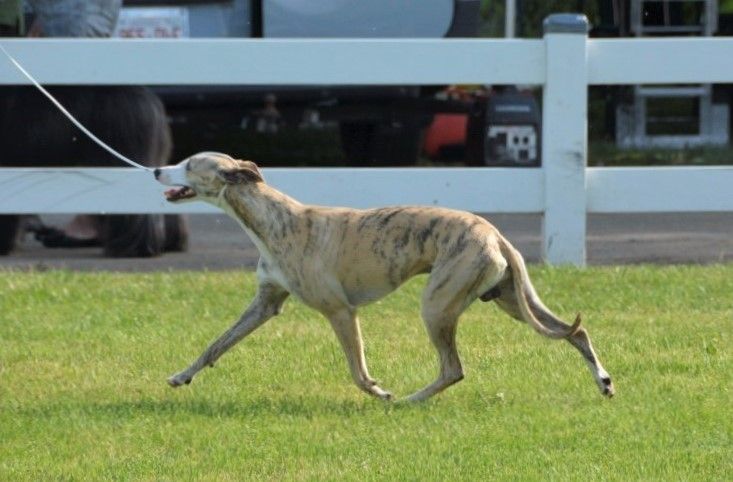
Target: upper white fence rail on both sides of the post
357	62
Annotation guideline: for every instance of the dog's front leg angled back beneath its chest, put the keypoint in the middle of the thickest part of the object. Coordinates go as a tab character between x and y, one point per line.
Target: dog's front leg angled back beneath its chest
346	325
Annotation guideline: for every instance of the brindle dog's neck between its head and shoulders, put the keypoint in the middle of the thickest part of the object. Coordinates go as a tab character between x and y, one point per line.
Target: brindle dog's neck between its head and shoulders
263	210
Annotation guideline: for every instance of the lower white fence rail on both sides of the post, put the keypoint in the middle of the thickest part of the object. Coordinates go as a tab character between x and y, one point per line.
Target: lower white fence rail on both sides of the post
609	190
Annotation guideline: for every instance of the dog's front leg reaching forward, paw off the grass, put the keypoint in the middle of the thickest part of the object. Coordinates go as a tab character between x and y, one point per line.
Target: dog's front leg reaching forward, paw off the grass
266	304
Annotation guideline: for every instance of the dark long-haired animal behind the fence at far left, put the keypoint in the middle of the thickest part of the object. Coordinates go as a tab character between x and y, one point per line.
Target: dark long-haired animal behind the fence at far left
130	119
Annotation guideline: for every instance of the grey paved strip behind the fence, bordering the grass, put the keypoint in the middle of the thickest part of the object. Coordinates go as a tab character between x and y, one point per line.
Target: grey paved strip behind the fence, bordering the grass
217	243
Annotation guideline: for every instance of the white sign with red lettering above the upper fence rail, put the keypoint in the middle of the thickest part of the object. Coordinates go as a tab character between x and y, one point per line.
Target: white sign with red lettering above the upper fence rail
148	22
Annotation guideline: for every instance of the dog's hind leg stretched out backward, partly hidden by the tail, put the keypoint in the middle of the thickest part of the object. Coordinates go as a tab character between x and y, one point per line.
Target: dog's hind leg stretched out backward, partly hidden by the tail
580	339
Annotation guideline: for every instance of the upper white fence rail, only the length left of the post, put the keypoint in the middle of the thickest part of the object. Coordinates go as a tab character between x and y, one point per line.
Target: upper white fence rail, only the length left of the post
275	62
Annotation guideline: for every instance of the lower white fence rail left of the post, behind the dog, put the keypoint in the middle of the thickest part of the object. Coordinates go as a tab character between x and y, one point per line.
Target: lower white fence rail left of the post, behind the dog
126	190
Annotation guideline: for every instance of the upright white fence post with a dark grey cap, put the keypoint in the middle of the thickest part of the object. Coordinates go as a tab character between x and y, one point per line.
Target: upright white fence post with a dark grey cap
564	139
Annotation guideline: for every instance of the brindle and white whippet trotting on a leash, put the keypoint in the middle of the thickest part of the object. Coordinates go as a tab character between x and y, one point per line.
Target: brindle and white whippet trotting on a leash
337	259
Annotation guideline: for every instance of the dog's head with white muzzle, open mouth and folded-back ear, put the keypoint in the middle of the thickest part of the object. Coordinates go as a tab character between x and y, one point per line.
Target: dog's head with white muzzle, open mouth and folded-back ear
203	176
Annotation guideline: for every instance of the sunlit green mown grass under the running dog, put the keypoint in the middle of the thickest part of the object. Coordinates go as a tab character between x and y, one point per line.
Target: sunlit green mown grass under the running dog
84	358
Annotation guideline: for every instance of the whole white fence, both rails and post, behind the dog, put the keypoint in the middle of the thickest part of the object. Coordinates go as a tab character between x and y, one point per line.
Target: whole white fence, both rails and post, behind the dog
565	62
